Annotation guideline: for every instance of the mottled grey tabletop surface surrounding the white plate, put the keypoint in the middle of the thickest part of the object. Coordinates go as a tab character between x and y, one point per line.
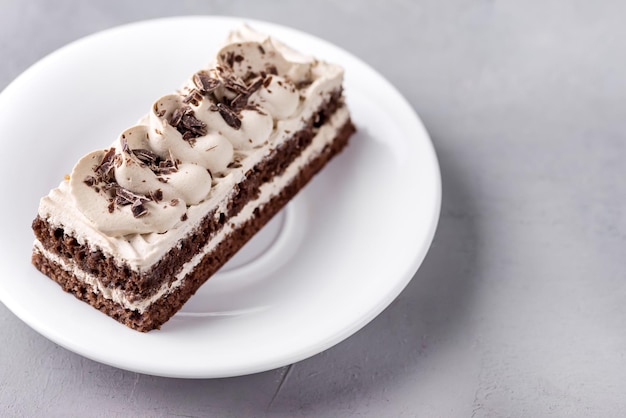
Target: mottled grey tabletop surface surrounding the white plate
518	310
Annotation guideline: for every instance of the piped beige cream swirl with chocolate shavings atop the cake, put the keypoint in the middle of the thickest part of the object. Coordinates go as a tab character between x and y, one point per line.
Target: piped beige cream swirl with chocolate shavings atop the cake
156	170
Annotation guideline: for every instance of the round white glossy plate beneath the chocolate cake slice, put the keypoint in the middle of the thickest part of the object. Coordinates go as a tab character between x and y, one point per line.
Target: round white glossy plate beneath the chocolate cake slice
326	266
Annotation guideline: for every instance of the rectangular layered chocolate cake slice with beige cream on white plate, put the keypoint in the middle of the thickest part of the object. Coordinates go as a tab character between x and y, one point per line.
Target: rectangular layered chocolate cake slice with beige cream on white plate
139	226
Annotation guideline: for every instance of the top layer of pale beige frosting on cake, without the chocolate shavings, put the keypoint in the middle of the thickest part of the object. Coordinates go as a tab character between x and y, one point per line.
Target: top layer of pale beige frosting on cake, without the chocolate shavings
204	176
